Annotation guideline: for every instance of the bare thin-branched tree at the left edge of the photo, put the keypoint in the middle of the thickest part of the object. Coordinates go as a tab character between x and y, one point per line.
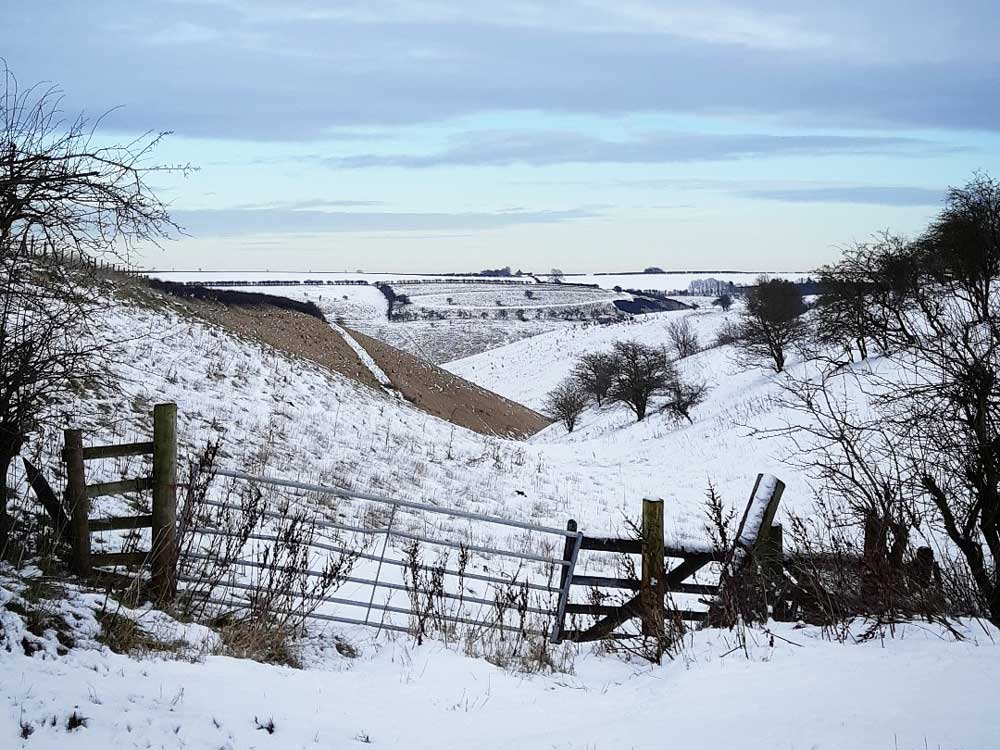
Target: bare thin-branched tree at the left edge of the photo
62	197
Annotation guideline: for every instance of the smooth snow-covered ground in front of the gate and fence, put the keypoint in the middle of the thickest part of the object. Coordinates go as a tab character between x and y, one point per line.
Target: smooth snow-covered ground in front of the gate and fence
791	688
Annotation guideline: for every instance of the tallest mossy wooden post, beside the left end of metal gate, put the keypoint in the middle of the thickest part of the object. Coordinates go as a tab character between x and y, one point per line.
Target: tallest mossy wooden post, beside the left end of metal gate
164	481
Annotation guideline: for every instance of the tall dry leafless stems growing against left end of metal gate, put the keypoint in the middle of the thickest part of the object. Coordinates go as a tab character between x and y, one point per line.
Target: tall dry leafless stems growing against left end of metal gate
252	567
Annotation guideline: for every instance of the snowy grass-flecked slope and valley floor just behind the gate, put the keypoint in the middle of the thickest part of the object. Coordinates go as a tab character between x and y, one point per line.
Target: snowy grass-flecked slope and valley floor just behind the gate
303	421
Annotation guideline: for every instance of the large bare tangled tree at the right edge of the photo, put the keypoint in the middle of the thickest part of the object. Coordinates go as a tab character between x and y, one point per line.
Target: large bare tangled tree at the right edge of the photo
922	440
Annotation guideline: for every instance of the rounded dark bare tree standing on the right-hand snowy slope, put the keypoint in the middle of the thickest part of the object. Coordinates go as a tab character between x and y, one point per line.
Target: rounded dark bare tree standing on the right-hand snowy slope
771	322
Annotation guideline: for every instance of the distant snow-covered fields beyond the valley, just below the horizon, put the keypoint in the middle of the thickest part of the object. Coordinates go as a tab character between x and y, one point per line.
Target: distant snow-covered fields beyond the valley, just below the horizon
453	318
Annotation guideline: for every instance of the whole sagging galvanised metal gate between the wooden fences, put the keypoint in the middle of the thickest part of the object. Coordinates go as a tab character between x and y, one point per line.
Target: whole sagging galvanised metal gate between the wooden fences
530	563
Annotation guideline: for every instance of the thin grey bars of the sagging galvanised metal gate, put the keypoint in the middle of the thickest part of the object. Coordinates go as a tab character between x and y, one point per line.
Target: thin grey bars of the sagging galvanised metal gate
566	564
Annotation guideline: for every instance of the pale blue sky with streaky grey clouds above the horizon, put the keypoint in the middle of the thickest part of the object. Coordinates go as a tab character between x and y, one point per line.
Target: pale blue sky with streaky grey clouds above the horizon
588	135
